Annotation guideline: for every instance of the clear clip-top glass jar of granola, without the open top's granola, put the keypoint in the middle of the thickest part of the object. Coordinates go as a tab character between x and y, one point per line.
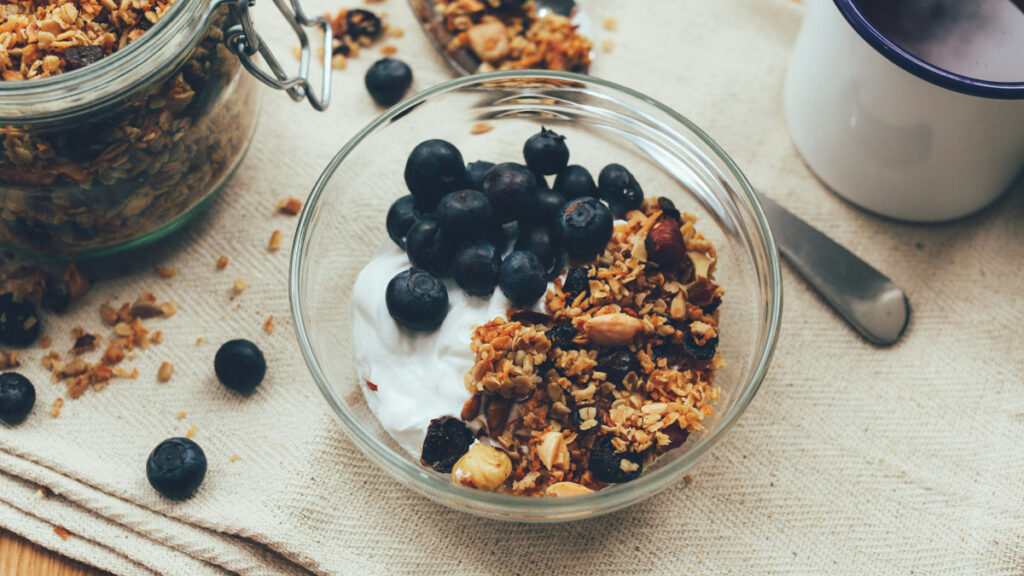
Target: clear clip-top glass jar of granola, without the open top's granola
124	151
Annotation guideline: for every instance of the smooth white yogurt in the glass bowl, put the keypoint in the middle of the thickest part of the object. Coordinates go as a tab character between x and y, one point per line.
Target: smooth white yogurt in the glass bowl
419	376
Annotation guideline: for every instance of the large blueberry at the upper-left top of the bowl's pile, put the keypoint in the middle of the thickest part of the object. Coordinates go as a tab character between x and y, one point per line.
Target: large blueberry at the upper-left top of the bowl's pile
434	170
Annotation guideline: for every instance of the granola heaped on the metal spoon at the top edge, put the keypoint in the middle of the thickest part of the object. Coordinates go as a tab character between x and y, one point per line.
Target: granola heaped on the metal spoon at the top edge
511	36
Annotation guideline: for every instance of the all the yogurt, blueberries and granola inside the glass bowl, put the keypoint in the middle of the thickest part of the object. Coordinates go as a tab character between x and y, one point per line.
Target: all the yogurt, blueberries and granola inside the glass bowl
557	367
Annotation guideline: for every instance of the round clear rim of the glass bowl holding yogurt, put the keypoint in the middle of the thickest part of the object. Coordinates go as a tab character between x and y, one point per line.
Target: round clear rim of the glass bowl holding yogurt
483	502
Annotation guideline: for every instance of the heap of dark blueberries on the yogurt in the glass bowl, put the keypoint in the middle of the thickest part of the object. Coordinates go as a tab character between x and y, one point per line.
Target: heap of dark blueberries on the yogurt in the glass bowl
459	221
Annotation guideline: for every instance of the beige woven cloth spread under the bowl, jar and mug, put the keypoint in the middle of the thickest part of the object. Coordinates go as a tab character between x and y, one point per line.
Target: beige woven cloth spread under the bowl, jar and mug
852	460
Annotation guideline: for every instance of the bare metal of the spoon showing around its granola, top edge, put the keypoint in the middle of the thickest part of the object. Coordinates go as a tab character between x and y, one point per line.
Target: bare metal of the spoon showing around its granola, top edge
463	60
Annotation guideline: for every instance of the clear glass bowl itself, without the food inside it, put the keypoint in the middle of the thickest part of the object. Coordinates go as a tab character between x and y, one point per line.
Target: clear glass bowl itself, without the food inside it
343	225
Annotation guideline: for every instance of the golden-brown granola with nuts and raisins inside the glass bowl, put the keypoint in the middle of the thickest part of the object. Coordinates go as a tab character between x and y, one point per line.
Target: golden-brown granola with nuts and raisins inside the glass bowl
621	368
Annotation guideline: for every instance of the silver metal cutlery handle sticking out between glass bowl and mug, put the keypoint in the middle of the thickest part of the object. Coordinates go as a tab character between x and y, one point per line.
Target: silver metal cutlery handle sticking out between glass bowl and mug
868	300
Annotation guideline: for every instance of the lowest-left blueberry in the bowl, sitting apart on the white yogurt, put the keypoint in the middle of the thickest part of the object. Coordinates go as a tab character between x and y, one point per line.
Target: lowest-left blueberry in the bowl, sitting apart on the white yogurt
417	301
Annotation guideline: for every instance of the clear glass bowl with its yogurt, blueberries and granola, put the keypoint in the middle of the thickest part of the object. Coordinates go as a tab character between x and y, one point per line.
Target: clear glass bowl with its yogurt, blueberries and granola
548	306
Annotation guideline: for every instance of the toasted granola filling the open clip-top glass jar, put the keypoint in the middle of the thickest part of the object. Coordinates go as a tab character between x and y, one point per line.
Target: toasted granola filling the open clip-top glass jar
116	175
